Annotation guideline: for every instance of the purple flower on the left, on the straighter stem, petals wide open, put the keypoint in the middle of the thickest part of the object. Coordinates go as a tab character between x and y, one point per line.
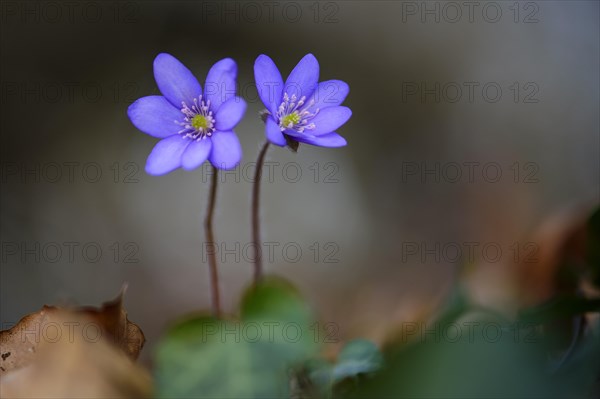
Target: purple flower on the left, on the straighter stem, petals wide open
193	127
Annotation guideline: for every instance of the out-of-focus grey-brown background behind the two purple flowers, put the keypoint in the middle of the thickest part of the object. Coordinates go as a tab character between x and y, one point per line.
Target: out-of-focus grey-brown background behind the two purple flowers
471	125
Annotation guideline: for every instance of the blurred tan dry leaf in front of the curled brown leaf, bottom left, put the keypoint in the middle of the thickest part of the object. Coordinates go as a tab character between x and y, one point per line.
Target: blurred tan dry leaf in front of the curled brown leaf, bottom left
72	365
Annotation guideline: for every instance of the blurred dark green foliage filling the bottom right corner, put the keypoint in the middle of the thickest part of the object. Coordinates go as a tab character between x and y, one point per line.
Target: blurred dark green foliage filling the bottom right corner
470	352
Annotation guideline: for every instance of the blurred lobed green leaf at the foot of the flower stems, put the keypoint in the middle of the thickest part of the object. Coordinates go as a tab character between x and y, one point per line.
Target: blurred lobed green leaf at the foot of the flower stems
203	357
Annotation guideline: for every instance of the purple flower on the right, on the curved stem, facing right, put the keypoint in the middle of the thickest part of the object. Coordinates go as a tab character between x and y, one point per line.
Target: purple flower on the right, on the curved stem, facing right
302	108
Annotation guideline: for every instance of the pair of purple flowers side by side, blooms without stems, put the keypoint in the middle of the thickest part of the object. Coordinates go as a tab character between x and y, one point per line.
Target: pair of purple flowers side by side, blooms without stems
196	126
